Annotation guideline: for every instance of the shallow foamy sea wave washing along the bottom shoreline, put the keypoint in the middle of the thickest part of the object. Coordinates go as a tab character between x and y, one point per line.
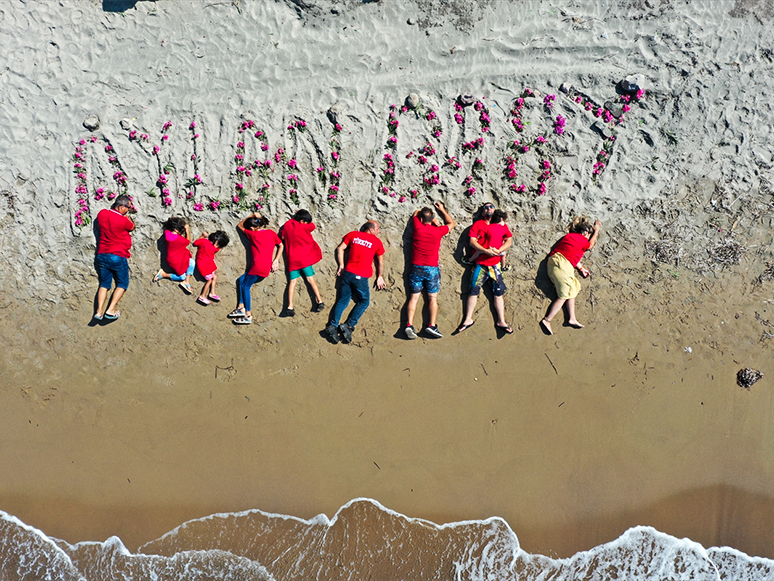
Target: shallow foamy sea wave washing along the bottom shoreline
363	540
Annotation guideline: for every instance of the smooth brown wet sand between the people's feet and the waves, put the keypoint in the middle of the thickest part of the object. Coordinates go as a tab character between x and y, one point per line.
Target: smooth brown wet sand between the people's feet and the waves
126	430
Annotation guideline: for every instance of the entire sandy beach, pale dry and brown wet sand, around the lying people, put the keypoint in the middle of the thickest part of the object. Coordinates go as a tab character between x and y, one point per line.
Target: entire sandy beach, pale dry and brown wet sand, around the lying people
171	413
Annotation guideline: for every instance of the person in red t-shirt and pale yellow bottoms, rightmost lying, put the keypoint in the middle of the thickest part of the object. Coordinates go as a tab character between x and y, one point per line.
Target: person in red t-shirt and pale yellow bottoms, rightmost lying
562	262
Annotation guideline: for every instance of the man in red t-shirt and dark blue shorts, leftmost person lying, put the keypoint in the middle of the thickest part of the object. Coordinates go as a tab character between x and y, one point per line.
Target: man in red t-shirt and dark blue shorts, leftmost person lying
111	262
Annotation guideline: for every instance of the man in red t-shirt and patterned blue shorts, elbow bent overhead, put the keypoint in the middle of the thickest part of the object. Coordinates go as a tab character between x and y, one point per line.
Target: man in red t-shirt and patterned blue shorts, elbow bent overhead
425	273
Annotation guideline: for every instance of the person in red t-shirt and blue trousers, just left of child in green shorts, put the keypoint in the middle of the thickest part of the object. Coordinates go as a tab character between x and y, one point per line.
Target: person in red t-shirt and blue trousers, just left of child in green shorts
265	247
